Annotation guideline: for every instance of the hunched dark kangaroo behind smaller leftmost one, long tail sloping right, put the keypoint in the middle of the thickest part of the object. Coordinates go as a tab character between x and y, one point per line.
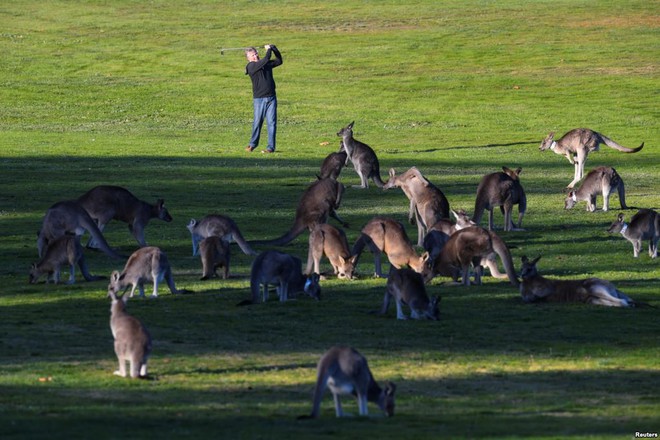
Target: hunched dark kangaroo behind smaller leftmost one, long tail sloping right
69	217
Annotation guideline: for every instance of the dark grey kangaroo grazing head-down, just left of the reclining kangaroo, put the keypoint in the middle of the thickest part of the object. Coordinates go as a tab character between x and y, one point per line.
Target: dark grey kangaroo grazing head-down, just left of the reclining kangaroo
406	286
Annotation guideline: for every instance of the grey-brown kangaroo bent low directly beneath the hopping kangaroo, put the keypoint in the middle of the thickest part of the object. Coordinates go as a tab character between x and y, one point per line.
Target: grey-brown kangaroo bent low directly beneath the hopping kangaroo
601	180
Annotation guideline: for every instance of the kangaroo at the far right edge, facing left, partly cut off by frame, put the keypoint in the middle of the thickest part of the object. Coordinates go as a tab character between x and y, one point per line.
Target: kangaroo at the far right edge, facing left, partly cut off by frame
644	225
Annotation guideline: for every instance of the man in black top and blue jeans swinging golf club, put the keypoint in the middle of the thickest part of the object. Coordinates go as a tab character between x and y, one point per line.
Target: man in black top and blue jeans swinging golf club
263	93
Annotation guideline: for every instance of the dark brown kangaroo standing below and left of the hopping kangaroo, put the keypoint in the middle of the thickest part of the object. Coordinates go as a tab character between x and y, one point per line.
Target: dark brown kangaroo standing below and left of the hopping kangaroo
501	189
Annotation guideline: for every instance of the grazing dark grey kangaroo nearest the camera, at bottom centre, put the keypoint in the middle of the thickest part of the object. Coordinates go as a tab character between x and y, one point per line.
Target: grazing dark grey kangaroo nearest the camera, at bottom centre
345	371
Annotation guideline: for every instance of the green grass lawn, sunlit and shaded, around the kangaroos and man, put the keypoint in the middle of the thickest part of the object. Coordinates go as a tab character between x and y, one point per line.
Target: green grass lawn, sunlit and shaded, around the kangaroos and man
136	94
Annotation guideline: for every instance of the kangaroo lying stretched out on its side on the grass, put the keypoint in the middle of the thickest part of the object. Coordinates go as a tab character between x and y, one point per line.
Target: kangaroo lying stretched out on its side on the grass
536	288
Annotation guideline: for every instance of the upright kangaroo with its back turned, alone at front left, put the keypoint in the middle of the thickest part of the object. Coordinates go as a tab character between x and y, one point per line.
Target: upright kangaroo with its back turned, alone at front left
132	339
